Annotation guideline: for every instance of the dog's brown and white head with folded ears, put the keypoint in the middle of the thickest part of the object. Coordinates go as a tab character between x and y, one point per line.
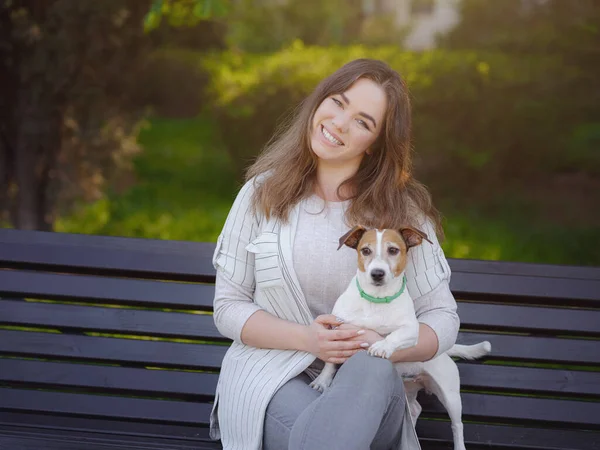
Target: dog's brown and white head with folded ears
382	253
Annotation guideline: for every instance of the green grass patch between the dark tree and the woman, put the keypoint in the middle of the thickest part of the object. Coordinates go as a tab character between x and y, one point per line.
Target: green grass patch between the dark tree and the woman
183	189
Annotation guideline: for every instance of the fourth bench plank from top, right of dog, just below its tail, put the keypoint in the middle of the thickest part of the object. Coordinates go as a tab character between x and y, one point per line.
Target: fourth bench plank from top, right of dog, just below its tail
529	379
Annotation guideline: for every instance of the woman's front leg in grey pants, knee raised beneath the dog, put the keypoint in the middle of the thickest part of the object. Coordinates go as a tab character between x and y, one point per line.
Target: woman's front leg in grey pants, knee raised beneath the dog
363	408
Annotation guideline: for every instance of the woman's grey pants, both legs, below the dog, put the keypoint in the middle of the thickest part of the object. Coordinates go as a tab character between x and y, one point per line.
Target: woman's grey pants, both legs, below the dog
362	409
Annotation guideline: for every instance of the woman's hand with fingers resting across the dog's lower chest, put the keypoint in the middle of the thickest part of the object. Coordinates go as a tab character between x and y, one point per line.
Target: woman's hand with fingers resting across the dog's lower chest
330	345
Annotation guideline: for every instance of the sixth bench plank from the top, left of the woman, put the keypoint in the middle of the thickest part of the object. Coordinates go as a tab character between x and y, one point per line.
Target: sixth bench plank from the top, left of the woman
191	413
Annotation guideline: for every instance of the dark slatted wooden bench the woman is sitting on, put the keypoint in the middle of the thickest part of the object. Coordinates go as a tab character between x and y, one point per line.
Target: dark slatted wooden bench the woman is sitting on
109	343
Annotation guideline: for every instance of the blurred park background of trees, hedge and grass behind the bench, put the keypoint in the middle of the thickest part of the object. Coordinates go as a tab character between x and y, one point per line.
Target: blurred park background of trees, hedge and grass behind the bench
138	117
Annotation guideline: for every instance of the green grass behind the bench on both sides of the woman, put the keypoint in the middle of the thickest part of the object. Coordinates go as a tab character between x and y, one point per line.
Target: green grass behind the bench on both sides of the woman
184	186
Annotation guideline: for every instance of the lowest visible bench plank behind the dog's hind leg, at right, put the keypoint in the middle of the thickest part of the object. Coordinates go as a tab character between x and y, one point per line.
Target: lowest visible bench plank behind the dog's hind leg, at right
508	437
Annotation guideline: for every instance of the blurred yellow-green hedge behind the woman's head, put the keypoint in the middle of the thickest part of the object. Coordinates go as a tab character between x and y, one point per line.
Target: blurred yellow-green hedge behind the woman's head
487	116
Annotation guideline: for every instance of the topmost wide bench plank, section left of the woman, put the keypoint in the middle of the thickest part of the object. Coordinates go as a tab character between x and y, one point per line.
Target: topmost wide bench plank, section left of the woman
145	258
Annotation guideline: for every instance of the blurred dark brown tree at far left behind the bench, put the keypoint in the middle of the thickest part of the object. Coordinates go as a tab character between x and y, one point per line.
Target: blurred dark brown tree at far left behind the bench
68	69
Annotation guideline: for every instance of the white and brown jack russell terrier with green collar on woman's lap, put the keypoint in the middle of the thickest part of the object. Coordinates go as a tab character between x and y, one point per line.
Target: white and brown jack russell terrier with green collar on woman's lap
377	299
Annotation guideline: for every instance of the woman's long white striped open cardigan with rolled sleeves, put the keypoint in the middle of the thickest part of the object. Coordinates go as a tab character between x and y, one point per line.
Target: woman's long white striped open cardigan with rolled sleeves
253	259
